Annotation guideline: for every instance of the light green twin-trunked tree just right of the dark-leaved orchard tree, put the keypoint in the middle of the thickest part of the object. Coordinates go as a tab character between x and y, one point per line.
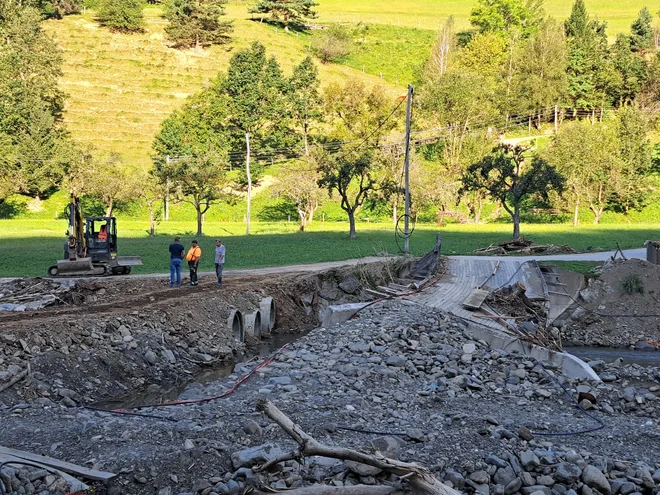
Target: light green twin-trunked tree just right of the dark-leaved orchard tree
587	155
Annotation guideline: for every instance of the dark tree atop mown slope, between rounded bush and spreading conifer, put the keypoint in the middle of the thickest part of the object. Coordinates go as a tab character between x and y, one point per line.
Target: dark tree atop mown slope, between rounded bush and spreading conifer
196	23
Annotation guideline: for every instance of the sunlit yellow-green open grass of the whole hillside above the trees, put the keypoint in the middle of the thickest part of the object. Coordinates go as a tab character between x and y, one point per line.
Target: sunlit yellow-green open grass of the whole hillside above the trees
122	86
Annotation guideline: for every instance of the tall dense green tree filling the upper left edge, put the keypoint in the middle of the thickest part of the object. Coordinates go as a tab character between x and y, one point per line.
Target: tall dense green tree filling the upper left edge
31	130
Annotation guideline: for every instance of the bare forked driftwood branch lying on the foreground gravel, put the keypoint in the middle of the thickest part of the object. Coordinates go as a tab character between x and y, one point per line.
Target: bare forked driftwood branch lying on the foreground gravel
420	478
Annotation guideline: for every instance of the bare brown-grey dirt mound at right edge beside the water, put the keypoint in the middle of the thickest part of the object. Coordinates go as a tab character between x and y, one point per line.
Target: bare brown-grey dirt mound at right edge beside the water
619	307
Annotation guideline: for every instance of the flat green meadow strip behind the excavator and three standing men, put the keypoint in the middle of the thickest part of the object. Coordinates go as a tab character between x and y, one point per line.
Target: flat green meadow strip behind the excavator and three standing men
29	247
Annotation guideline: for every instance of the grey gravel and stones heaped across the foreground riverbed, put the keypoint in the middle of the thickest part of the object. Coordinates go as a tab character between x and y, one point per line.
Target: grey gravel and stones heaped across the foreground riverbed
402	379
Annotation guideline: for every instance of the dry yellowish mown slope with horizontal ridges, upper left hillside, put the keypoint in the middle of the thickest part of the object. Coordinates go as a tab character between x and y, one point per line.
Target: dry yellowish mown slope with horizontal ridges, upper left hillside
121	87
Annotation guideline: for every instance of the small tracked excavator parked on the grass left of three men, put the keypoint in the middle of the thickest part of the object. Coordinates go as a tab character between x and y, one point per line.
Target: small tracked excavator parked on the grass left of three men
91	246
